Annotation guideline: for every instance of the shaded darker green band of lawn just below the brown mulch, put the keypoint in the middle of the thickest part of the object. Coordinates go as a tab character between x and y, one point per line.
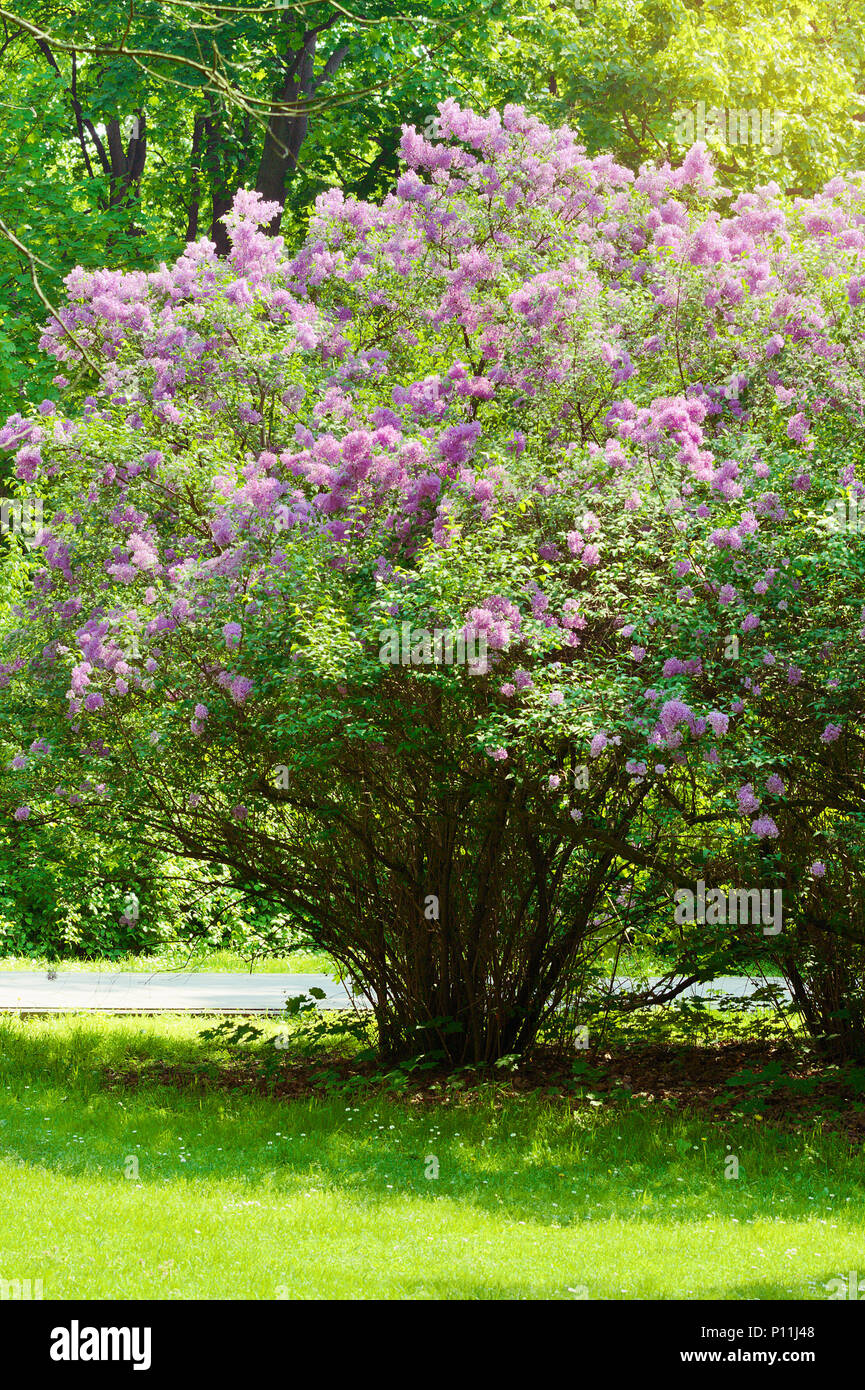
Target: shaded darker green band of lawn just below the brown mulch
549	1161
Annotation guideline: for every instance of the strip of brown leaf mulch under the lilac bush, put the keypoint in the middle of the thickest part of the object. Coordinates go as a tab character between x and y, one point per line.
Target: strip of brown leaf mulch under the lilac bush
763	1081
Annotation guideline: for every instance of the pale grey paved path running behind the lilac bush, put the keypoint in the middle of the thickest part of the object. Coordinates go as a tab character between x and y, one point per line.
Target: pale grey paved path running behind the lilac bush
191	992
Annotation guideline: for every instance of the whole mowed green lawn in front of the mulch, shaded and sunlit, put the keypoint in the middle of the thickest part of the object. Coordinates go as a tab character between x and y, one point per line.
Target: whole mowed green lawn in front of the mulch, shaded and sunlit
240	1196
